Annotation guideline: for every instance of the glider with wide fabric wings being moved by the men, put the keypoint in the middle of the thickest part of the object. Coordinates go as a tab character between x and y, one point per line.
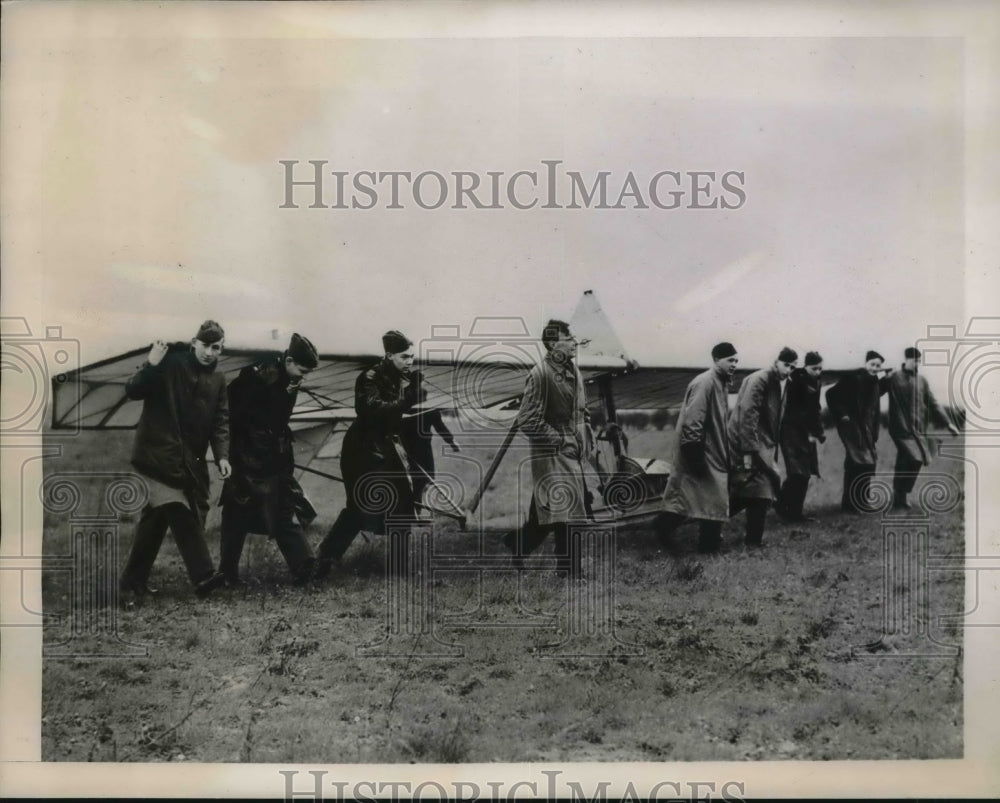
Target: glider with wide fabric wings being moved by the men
482	372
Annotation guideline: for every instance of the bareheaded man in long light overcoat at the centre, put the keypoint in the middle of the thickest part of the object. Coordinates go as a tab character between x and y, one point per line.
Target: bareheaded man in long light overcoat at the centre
552	417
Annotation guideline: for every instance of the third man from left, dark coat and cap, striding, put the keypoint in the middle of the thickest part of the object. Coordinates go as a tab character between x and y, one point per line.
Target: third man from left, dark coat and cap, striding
372	459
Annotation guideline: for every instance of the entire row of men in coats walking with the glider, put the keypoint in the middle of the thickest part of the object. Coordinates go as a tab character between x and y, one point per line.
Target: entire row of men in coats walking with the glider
726	460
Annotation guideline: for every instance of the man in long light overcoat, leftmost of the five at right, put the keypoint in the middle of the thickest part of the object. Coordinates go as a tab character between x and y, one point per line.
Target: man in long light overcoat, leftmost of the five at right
698	487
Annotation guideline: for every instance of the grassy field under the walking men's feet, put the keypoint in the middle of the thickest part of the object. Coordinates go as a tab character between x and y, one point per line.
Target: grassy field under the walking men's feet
772	654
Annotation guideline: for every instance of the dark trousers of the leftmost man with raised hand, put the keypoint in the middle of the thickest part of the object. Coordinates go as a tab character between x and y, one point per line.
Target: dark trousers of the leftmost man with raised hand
188	531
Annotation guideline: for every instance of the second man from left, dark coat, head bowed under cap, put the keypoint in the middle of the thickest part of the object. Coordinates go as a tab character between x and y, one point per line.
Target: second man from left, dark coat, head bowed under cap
262	493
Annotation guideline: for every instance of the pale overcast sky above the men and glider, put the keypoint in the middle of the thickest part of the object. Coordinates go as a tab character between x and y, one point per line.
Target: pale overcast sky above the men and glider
155	187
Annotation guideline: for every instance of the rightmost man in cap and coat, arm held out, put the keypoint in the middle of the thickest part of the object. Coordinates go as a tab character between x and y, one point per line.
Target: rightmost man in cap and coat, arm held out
912	408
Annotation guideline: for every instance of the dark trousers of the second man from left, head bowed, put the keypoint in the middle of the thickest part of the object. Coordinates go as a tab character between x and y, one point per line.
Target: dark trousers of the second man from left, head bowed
278	522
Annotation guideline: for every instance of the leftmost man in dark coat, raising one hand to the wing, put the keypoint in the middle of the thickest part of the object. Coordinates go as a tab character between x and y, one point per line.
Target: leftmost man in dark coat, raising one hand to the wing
184	410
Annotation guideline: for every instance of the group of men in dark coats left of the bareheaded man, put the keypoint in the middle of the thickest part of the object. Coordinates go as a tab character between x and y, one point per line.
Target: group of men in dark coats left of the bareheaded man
187	408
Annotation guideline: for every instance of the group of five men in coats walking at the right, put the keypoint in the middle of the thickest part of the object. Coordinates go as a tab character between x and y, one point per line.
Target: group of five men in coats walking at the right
727	460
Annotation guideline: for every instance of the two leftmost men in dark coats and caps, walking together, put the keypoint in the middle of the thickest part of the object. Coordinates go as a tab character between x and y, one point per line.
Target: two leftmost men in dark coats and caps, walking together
188	407
